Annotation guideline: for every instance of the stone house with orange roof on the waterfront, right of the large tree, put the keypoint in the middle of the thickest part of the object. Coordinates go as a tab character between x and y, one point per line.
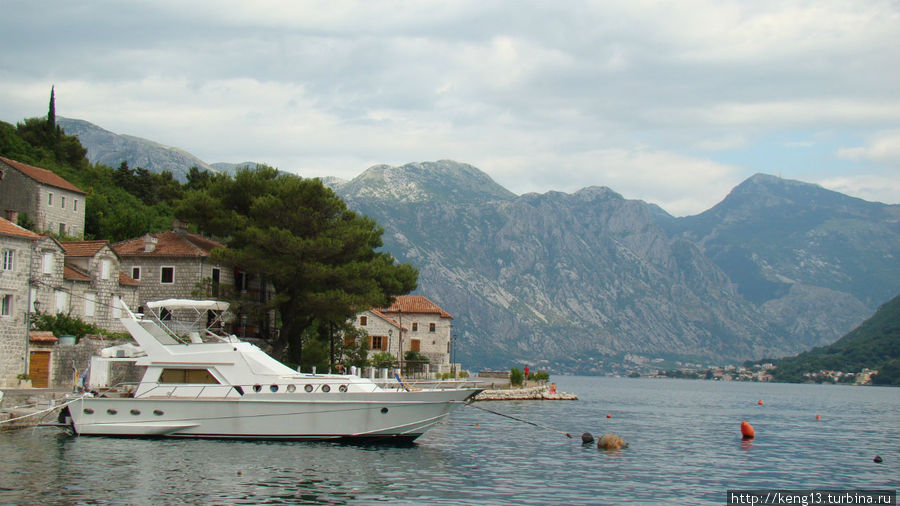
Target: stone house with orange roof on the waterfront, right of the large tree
411	323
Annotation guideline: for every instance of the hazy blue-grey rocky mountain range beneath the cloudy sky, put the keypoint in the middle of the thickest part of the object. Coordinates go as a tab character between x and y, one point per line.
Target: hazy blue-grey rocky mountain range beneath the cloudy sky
591	282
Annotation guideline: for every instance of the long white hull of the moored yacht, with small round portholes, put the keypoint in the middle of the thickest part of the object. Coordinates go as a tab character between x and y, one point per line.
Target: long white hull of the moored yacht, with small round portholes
363	415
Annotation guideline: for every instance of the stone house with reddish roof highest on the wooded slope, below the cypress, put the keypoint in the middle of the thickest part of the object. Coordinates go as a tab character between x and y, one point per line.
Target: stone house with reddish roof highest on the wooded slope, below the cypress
49	201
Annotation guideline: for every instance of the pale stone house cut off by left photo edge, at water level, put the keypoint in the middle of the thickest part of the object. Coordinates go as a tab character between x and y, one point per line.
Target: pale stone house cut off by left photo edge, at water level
17	246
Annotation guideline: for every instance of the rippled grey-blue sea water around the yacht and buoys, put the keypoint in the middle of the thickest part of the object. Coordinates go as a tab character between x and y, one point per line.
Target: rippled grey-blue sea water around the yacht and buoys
685	447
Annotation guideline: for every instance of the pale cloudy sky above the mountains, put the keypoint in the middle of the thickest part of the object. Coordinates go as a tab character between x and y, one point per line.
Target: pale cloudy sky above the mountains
670	102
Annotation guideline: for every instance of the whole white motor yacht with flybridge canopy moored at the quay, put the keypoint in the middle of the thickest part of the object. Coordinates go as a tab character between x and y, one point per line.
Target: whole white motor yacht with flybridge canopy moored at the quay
202	383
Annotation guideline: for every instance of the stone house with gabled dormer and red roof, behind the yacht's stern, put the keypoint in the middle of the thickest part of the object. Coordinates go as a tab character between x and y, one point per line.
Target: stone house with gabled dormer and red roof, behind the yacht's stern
95	284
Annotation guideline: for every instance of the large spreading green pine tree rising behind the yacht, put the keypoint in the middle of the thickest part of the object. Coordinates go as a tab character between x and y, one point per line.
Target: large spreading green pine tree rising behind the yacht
321	258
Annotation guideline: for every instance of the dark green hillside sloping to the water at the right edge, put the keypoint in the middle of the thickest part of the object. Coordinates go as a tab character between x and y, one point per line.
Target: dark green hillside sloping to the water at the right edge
875	344
